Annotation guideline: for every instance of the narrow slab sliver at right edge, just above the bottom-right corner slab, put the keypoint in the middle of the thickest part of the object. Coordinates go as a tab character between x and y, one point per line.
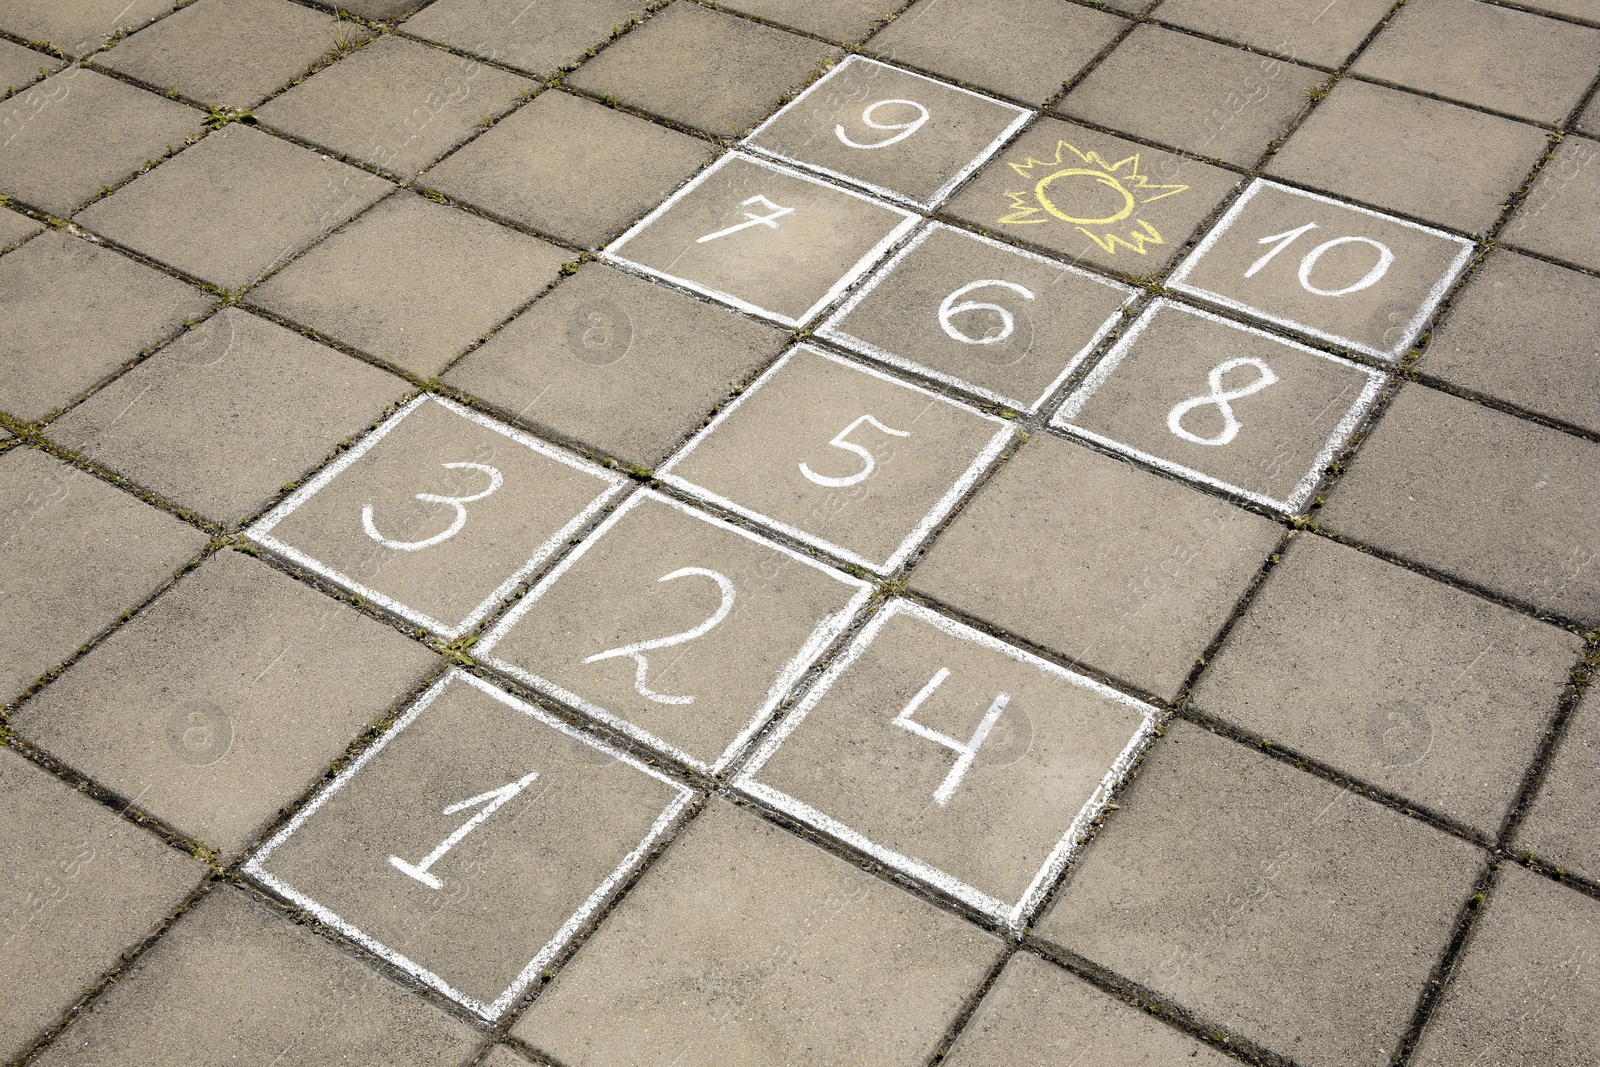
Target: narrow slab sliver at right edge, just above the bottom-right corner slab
1569	802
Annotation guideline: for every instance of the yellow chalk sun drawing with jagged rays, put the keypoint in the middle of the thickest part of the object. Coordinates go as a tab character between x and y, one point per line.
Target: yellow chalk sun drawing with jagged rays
1100	199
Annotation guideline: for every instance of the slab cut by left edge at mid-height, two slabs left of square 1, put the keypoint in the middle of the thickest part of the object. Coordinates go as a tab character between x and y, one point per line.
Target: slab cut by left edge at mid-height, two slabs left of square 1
78	553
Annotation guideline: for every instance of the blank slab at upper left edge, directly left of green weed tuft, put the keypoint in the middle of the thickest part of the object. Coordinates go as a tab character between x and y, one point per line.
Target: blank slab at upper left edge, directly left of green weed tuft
79	132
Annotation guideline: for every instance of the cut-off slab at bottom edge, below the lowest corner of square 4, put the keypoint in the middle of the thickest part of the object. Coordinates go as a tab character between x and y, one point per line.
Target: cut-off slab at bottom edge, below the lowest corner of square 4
1038	1005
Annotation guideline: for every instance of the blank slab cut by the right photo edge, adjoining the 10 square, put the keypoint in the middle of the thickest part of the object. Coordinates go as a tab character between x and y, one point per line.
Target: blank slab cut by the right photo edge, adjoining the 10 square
1524	332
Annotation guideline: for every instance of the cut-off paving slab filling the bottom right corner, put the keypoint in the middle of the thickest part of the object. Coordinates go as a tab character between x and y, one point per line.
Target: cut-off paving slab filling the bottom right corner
1526	991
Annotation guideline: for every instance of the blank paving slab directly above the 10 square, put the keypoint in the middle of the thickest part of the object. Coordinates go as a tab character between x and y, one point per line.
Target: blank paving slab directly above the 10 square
1410	154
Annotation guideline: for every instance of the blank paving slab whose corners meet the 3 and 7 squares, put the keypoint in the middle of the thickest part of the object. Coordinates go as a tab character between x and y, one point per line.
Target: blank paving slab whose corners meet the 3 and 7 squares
414	282
